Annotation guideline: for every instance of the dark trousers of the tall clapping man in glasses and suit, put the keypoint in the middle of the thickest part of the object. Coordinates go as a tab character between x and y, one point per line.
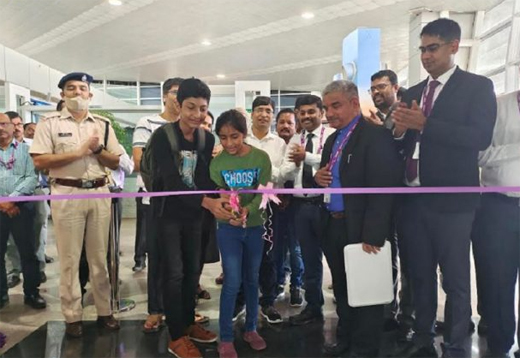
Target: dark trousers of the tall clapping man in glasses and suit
438	239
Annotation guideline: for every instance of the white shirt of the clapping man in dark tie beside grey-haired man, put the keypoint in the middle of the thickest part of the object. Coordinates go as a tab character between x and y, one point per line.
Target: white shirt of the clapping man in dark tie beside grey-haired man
290	171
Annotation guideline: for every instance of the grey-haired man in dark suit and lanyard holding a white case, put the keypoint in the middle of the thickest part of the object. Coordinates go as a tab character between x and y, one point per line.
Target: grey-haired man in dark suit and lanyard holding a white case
358	154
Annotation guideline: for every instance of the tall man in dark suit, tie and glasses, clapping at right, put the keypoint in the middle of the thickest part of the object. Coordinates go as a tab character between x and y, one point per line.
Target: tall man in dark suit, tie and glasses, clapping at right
442	125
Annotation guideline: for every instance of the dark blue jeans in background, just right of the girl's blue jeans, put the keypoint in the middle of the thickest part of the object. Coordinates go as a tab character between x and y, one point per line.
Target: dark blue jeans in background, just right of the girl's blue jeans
285	240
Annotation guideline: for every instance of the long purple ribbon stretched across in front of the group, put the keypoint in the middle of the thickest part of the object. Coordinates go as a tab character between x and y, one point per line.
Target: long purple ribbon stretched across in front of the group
395	190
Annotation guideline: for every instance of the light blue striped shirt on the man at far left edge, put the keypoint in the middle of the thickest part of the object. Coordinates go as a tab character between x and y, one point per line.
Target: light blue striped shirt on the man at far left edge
21	180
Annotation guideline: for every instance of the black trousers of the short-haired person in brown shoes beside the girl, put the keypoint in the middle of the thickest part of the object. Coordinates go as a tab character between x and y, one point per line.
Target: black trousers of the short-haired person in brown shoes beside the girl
180	244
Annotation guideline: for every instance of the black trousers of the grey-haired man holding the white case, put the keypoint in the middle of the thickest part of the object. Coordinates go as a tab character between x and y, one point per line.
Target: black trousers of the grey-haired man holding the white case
361	328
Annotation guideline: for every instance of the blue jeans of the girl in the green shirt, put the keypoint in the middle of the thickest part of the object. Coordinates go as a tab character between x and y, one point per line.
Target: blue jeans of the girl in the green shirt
241	250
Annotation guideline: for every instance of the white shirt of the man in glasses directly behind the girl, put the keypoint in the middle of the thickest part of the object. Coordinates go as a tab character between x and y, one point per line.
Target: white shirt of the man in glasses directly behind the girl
275	147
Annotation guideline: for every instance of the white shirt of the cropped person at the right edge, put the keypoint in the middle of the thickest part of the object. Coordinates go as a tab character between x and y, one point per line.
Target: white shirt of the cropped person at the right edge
500	163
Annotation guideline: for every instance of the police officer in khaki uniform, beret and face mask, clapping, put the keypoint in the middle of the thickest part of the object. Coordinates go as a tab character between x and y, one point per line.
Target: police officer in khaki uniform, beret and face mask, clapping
71	145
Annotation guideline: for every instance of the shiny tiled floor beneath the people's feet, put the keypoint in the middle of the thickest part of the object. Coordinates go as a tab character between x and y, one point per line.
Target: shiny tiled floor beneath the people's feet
33	333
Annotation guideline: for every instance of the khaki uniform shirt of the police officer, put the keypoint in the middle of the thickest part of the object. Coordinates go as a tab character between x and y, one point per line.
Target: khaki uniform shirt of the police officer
60	133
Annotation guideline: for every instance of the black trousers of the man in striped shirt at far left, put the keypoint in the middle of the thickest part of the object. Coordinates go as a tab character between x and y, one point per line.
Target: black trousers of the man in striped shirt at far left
22	228
